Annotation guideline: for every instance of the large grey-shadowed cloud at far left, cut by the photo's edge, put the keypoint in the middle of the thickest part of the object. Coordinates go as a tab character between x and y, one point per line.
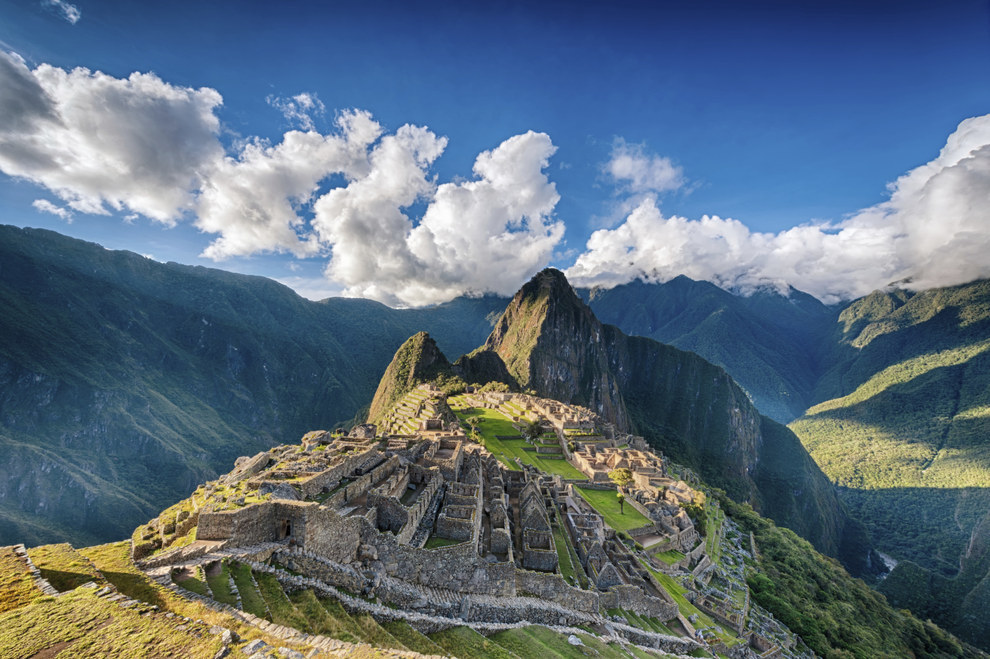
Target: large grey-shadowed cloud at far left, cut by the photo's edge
97	141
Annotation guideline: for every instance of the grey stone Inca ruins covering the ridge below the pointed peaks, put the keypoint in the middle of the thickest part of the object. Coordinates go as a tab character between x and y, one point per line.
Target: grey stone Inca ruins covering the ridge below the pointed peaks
428	506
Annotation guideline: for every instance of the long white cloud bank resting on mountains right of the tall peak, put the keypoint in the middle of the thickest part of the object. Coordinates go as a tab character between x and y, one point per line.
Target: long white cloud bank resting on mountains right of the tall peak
934	231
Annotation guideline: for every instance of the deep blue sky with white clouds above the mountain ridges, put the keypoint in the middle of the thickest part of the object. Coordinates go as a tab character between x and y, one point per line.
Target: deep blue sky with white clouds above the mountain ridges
642	119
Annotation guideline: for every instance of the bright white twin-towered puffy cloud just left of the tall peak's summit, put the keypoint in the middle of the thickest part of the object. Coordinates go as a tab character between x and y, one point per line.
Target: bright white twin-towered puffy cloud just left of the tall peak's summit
485	235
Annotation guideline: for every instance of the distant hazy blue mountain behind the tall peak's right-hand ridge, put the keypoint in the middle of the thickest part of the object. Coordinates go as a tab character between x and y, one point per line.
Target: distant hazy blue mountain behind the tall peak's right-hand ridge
769	342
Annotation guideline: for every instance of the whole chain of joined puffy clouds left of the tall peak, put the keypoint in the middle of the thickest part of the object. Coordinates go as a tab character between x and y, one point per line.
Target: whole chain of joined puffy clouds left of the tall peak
141	146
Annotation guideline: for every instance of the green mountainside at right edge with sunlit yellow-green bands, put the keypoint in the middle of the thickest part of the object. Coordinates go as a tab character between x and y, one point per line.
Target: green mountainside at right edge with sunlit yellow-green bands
904	429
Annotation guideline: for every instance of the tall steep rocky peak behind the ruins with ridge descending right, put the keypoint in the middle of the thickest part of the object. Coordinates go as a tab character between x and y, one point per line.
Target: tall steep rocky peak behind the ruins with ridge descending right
551	342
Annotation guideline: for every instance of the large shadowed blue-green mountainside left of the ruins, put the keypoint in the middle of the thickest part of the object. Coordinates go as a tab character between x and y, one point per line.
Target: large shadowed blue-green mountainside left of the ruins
125	382
